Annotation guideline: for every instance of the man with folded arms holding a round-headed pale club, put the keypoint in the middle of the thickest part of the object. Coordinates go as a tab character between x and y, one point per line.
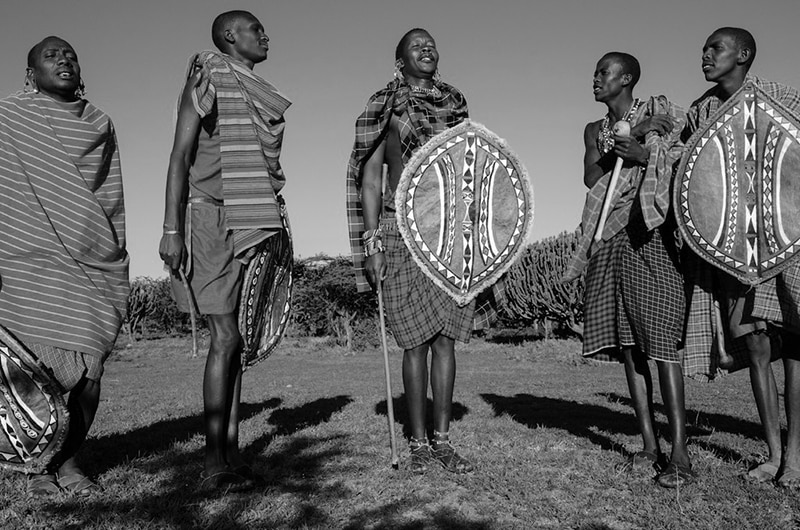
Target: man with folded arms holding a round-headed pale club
634	302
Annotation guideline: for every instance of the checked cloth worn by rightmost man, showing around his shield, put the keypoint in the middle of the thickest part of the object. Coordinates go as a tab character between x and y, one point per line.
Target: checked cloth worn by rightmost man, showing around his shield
777	300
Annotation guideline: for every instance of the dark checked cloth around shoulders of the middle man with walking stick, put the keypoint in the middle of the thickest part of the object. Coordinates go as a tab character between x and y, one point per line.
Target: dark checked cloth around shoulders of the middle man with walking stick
420	119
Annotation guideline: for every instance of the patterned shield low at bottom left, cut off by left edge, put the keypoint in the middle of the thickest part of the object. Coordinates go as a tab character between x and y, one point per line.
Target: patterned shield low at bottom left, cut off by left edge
33	415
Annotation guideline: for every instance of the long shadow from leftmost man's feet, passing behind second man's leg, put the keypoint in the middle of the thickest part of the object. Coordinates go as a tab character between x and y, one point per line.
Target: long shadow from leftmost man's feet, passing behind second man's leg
113	449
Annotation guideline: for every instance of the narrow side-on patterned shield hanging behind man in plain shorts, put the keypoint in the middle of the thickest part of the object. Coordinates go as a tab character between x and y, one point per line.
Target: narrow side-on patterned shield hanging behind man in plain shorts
266	295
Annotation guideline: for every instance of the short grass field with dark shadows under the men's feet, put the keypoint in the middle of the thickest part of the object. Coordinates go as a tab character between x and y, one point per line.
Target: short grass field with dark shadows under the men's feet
544	429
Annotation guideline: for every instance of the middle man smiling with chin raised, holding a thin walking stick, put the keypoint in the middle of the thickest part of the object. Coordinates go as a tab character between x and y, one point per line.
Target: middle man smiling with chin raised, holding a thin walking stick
398	119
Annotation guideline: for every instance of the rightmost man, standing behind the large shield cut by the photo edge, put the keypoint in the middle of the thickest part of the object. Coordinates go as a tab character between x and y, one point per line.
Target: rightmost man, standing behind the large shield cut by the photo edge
747	312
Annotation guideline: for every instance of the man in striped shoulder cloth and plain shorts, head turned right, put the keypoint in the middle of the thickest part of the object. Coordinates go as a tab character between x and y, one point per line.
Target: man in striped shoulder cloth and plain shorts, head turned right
225	157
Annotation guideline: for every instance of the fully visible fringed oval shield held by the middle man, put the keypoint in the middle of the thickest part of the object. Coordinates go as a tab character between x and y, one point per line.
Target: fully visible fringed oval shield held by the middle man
465	208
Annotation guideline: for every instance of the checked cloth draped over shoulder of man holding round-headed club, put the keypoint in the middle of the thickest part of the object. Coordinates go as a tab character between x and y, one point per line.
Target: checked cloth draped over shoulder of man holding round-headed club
652	188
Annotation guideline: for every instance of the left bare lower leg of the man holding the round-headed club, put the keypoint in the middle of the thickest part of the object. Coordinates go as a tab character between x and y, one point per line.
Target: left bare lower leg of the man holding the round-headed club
640	386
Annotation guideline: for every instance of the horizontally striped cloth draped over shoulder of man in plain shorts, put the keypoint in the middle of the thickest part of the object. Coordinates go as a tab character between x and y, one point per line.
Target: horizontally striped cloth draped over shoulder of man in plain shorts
250	113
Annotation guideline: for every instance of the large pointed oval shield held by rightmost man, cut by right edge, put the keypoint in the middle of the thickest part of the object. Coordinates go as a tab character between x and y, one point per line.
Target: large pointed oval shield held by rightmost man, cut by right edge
737	192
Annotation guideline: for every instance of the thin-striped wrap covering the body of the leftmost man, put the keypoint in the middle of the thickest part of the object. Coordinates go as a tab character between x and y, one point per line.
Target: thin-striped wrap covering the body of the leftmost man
63	264
